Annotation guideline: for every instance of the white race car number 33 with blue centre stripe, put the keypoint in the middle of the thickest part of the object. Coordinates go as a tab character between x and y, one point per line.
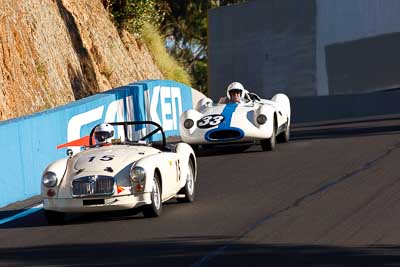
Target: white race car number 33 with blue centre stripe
254	119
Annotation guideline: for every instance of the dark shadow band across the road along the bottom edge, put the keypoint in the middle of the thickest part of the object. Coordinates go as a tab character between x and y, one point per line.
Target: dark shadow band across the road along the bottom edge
199	251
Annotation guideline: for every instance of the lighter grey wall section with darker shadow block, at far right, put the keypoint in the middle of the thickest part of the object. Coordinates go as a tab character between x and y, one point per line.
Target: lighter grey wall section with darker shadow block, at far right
351	36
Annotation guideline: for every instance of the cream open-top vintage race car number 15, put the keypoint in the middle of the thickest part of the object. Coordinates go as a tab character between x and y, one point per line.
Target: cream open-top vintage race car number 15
125	173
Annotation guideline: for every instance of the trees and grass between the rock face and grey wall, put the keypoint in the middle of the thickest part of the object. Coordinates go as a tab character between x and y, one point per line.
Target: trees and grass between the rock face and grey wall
182	28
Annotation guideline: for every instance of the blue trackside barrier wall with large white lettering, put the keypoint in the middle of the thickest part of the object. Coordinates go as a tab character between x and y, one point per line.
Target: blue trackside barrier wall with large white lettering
29	143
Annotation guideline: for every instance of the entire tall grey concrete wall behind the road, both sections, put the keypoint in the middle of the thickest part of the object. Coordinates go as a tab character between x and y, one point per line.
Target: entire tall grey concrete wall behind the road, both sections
305	48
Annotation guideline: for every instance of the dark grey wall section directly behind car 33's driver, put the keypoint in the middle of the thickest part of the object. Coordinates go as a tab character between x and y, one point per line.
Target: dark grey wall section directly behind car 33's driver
269	46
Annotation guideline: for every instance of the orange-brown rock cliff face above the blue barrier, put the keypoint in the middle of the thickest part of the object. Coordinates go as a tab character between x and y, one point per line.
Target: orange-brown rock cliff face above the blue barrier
53	52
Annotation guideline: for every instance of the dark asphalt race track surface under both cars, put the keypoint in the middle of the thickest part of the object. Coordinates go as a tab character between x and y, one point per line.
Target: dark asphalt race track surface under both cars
329	197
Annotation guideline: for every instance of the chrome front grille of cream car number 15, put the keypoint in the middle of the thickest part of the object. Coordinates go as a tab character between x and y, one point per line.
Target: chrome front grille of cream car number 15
96	185
